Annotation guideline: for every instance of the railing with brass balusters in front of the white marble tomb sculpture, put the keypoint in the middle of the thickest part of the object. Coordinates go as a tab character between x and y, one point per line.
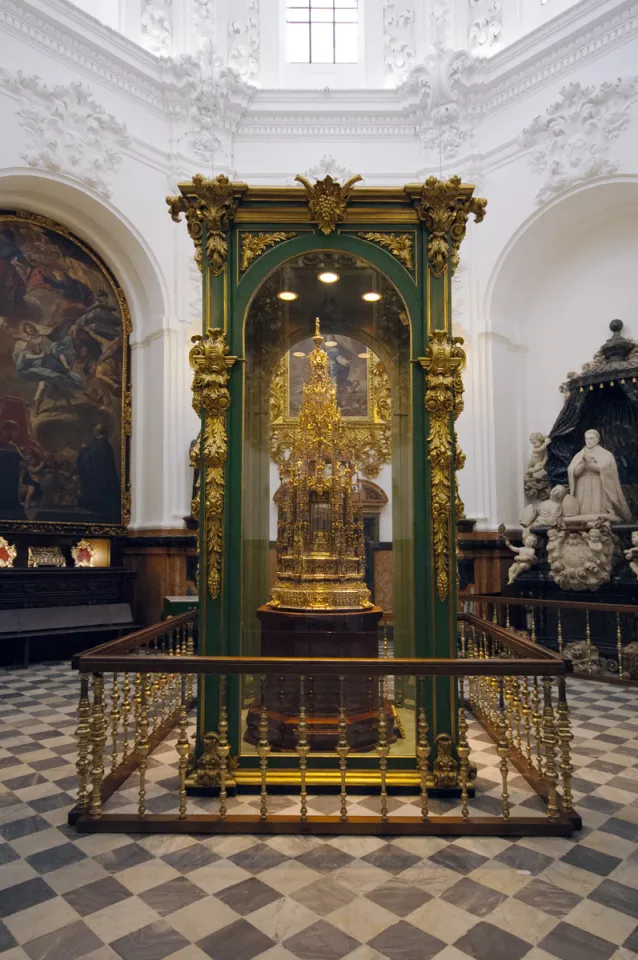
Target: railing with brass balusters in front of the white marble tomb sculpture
602	631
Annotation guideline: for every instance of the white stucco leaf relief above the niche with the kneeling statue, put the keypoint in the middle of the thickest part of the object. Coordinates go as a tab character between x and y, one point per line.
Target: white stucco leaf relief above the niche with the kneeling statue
570	142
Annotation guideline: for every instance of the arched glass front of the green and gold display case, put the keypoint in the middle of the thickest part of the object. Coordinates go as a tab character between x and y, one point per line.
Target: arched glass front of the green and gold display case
354	530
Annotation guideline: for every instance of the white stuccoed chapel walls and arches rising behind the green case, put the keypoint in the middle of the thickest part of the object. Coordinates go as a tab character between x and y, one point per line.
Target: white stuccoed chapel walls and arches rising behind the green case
106	106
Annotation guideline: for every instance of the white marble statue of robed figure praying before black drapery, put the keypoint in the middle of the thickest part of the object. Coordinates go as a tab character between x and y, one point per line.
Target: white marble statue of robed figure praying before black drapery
594	482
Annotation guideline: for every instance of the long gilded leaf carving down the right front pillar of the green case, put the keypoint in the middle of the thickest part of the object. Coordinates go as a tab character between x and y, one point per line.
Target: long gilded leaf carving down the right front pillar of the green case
443	363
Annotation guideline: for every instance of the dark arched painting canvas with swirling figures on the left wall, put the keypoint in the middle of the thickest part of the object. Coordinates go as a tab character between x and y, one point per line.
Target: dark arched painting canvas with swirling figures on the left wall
62	377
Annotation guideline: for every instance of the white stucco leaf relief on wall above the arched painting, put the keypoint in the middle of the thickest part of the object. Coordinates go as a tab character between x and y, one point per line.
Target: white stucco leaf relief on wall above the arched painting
69	132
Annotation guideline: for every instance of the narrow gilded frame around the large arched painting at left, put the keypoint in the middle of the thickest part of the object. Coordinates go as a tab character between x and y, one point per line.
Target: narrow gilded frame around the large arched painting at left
73	526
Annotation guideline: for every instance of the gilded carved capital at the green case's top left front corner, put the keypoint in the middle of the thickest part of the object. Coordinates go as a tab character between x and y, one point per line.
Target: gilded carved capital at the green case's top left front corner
209	209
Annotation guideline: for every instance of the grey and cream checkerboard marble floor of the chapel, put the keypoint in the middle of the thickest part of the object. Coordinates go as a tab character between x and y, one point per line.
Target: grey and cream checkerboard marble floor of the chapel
66	896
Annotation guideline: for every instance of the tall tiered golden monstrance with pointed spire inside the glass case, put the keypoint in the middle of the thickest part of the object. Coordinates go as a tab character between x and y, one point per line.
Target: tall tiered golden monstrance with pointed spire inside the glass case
320	549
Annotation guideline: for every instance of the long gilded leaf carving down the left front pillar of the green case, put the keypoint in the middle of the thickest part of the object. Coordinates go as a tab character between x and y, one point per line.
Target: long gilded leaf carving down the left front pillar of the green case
211	399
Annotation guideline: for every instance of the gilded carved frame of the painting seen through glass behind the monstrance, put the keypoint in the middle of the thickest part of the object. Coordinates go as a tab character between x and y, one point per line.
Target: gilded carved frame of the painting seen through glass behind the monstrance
370	437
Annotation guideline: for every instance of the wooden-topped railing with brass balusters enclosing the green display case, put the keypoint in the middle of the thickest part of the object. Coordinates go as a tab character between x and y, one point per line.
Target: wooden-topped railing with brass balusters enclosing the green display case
134	691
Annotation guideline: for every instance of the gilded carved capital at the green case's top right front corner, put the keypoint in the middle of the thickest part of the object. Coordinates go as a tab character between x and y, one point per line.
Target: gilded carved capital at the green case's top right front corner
444	206
